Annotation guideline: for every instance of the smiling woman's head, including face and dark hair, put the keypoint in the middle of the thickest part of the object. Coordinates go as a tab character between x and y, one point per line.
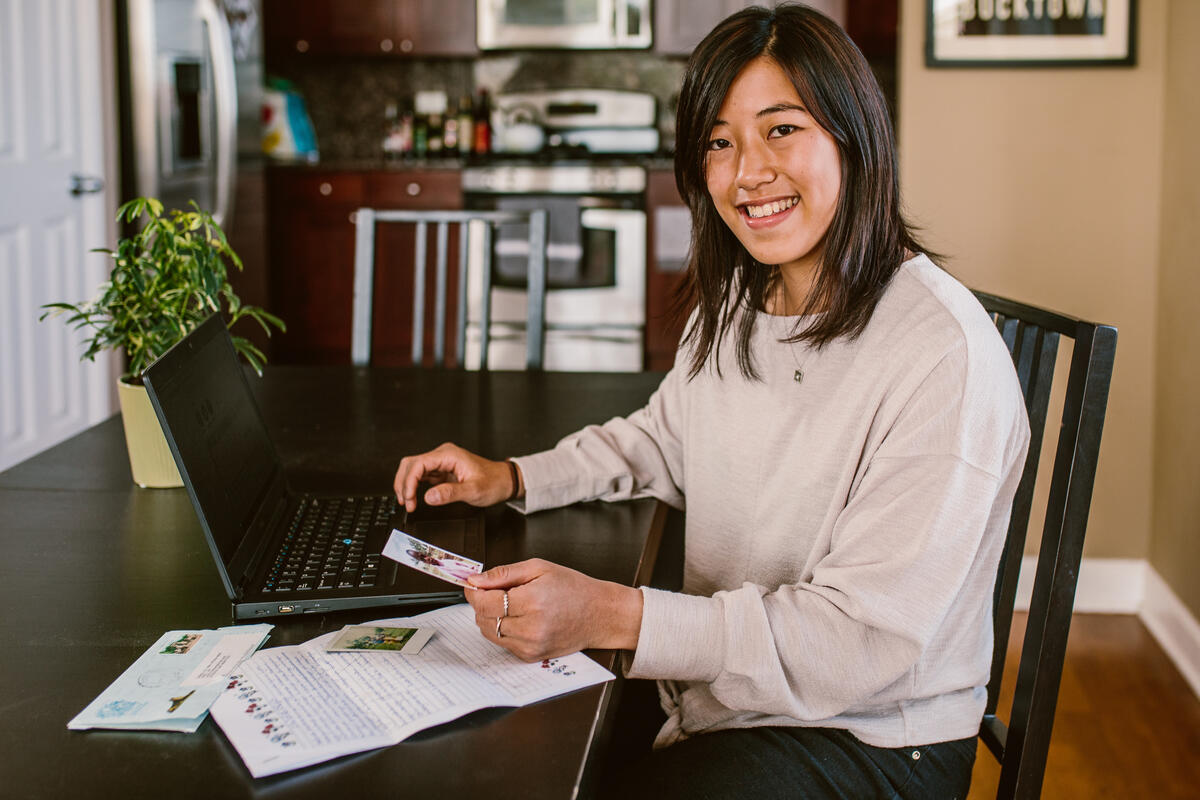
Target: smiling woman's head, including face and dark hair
811	106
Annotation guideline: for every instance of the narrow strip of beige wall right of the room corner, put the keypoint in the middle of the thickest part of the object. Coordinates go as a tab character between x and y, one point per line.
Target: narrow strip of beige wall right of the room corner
1175	545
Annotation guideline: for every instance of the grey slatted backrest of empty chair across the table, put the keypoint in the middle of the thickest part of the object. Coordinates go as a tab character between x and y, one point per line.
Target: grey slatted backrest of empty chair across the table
488	224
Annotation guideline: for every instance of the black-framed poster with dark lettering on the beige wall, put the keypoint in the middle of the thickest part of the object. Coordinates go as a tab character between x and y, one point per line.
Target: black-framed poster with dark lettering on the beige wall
1031	33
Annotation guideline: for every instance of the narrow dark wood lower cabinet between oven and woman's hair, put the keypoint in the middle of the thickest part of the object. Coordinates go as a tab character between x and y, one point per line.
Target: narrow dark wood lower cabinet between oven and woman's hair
668	232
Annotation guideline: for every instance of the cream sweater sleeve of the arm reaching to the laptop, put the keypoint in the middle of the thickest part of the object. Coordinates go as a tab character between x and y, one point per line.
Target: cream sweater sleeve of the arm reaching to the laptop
625	459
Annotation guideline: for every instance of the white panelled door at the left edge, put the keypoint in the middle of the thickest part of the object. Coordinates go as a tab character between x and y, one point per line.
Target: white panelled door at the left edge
51	130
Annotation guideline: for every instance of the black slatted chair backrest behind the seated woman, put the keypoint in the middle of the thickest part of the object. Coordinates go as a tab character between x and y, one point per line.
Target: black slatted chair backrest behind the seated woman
1034	336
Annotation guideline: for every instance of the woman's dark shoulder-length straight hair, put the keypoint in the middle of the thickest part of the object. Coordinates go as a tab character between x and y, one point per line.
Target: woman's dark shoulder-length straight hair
868	237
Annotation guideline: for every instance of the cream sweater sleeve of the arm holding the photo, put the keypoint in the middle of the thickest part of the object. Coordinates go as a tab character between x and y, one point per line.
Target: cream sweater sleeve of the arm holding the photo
914	549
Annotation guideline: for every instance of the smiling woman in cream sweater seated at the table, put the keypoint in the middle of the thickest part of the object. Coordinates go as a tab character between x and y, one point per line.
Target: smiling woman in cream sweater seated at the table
845	430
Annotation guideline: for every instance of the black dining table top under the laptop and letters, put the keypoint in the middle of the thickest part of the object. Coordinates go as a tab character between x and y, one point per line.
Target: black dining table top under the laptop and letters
94	570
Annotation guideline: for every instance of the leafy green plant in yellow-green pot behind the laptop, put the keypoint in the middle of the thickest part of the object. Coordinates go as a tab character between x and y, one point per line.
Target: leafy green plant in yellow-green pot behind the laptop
166	280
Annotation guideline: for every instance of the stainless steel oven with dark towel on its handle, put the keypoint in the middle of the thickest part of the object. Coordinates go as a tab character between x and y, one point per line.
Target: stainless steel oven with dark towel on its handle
596	258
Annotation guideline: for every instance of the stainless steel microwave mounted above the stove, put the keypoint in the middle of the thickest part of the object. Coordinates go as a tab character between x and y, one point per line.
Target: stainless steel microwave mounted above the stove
563	25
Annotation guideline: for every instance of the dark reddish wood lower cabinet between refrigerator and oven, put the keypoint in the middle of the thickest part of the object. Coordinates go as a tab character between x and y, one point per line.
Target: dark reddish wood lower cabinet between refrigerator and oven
311	230
